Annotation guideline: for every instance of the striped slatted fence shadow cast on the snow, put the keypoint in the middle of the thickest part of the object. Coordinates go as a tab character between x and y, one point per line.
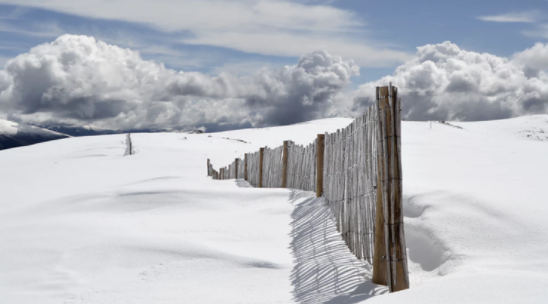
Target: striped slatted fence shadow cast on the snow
324	271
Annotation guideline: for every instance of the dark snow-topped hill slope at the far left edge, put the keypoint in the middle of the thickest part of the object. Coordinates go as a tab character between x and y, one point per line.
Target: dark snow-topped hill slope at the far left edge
13	135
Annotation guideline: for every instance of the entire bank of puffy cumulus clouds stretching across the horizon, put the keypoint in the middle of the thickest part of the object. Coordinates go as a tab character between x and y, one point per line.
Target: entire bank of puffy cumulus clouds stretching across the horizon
81	81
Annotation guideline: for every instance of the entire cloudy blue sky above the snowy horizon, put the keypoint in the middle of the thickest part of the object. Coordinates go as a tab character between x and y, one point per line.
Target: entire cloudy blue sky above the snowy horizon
240	63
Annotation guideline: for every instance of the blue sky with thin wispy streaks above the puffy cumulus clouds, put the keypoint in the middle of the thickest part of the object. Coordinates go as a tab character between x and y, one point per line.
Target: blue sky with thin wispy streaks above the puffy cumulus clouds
398	26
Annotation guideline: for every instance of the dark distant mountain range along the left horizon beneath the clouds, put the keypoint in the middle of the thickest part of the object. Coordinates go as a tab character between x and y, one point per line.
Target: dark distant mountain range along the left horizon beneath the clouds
14	134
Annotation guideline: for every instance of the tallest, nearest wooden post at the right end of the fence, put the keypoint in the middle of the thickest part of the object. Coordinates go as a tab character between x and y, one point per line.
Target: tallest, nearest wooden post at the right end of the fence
389	173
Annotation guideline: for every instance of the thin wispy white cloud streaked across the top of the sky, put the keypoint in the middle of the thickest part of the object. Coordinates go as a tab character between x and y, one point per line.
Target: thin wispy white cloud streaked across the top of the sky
281	28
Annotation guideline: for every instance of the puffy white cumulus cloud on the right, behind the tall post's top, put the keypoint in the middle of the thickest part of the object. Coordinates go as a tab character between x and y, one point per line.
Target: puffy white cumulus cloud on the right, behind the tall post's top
444	82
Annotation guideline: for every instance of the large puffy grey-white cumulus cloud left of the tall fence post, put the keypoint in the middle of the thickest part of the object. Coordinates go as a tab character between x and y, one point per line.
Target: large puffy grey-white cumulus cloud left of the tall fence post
79	80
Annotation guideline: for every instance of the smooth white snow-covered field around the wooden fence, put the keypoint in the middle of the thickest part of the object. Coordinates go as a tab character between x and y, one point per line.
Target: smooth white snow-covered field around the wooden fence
81	223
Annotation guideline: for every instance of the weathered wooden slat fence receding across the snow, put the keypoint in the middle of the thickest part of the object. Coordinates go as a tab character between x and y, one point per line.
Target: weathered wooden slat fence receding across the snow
357	170
